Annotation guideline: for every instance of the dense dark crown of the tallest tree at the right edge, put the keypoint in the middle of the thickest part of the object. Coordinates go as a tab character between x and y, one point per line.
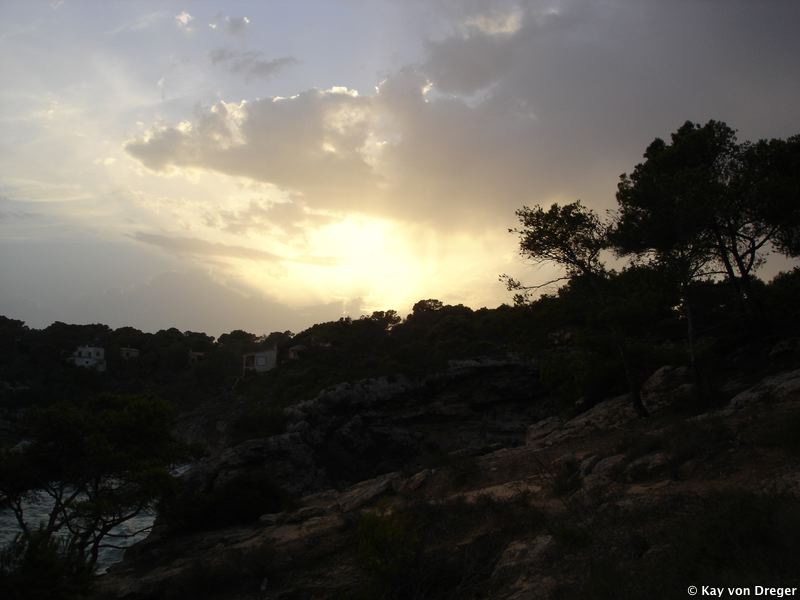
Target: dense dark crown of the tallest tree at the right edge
705	203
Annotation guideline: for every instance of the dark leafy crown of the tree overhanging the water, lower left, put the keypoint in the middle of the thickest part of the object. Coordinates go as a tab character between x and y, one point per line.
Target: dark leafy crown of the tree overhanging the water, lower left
100	462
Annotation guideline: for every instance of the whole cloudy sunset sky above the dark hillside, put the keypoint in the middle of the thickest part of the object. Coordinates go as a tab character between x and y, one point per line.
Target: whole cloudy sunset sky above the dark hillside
267	165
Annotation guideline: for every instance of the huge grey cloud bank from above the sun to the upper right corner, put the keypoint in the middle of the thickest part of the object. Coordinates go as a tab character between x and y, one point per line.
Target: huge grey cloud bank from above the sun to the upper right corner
520	103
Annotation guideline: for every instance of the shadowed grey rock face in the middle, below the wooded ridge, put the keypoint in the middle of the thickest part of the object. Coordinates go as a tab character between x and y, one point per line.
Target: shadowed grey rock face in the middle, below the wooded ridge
356	431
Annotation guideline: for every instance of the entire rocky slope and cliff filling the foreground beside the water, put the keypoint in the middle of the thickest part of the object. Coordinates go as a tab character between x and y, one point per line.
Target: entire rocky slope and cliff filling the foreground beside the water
468	485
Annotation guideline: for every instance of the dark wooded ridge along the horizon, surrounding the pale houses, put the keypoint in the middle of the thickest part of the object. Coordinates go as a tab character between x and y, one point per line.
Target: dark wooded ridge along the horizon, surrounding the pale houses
190	366
